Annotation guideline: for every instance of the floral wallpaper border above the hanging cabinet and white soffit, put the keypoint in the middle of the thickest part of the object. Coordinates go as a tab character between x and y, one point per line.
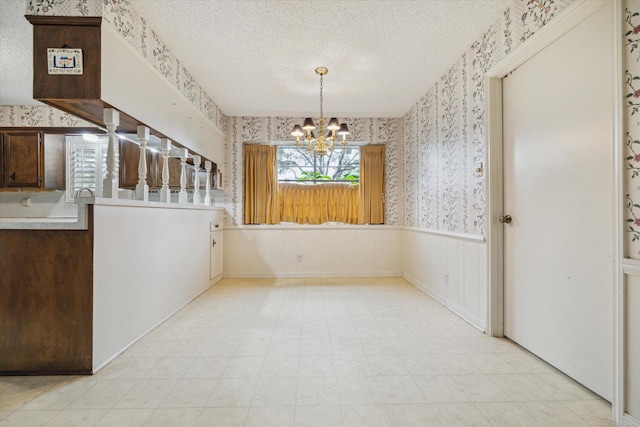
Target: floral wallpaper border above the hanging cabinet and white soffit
122	16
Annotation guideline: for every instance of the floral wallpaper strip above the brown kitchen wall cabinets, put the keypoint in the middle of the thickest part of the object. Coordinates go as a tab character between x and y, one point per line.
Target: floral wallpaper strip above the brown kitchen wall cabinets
38	116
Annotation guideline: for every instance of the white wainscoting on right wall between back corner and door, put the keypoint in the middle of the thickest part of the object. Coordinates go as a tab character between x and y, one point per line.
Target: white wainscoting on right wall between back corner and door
451	268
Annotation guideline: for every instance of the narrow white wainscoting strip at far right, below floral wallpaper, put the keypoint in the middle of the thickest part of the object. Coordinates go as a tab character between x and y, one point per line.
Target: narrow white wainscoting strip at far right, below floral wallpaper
631	352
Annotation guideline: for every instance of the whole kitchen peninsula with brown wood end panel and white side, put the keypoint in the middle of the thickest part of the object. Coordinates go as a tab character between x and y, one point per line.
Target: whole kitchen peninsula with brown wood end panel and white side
76	292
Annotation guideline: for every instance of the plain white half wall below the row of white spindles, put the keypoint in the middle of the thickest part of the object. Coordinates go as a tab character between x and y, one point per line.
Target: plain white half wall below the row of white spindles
148	263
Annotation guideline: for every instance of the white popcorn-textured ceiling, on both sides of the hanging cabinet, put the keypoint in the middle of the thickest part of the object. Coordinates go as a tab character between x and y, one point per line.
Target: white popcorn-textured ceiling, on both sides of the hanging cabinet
256	57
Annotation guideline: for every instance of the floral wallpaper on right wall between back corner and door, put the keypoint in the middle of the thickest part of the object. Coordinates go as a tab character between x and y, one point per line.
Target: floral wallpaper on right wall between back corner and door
444	134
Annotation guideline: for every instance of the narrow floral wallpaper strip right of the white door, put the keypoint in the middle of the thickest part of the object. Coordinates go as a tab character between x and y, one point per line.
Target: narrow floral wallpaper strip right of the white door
631	117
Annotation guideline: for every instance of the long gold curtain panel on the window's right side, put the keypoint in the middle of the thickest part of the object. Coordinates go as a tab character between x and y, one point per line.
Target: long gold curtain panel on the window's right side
371	210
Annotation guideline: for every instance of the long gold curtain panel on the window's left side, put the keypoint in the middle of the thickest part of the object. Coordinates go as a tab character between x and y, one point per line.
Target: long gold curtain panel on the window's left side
260	184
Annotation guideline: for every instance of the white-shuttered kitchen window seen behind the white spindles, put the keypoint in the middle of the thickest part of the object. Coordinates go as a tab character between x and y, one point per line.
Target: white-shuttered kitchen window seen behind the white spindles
86	164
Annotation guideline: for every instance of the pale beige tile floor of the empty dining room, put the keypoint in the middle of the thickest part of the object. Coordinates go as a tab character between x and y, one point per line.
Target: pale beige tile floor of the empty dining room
310	352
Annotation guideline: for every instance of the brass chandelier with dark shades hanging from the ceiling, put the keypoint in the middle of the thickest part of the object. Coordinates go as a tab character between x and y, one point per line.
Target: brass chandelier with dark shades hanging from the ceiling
321	144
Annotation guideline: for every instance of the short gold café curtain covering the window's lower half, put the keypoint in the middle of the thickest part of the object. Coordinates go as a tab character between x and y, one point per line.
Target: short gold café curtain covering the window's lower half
319	203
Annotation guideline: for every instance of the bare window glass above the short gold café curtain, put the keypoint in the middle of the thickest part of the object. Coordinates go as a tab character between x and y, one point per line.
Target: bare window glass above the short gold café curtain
298	165
